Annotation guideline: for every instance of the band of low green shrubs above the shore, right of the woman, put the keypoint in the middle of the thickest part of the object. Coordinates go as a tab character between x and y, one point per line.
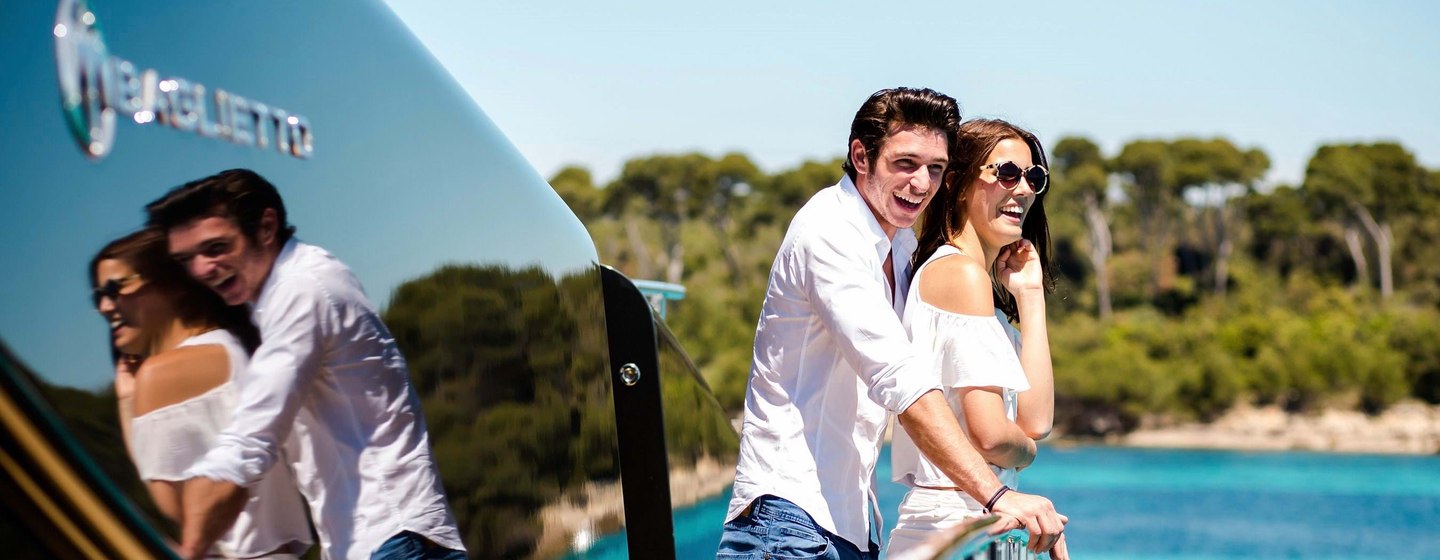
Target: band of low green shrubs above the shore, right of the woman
1269	345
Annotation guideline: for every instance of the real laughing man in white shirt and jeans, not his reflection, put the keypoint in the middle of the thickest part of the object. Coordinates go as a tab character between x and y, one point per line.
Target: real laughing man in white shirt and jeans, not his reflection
832	356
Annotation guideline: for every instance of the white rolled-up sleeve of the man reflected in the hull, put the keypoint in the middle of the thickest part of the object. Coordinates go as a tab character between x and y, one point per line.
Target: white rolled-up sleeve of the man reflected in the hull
292	322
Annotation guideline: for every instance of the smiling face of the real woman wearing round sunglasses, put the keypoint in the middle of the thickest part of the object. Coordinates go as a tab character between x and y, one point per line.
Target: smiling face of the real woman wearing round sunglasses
996	212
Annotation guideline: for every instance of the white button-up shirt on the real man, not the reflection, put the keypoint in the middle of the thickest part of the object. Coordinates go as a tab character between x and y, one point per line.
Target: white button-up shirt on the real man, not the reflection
832	361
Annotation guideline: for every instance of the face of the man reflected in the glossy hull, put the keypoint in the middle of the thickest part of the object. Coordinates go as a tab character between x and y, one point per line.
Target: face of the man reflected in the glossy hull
220	256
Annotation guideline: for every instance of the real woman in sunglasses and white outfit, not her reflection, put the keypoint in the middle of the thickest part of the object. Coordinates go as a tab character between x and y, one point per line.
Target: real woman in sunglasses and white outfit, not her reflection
981	264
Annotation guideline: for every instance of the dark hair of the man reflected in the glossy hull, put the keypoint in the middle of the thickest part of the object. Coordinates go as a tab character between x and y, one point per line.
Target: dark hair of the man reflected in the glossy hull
238	195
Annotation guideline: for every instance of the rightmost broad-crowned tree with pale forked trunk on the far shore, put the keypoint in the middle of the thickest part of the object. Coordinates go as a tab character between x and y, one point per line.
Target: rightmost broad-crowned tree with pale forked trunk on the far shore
1372	185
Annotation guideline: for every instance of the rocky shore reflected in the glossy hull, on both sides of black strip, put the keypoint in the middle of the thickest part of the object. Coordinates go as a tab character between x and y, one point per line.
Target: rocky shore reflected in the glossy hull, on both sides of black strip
575	523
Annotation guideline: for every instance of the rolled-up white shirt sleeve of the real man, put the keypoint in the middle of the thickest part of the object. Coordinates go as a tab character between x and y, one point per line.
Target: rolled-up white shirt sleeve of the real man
849	299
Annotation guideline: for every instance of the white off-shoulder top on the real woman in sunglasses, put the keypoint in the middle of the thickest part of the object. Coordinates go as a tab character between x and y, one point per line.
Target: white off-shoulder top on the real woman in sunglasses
966	352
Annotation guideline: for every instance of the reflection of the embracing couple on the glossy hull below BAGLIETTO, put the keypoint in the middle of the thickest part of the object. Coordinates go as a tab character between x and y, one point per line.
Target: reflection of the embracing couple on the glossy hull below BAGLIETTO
234	430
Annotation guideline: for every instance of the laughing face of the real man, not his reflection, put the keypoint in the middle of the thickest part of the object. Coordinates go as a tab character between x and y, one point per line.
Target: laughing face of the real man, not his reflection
904	178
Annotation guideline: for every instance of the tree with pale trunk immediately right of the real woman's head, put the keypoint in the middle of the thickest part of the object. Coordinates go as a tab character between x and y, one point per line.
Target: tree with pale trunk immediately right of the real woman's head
1081	171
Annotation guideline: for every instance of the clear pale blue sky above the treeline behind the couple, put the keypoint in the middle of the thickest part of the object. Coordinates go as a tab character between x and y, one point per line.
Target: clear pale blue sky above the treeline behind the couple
595	84
